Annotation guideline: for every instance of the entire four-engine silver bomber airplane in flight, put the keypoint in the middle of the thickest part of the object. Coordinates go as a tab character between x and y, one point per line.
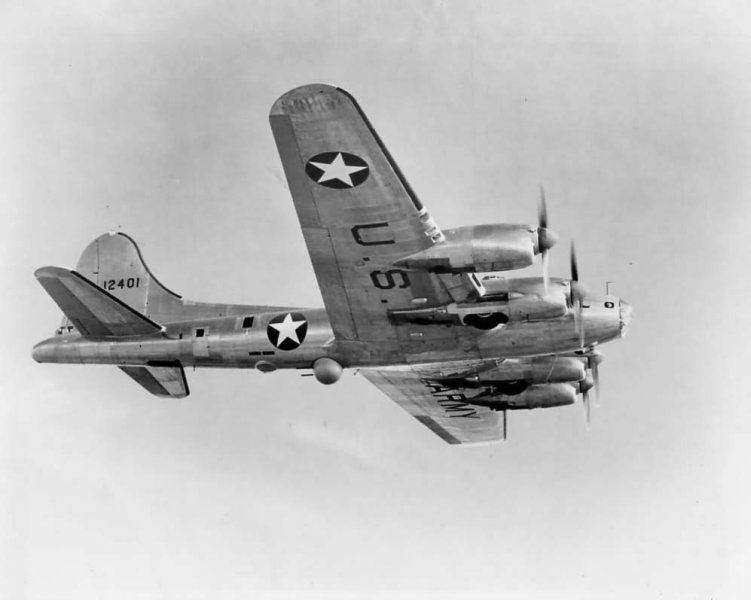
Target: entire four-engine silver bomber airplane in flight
424	314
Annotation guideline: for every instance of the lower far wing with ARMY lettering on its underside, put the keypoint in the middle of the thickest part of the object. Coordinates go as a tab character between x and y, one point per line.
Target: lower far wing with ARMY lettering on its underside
442	410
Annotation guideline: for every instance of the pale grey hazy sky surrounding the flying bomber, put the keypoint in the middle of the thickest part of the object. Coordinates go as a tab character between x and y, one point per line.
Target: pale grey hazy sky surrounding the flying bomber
151	118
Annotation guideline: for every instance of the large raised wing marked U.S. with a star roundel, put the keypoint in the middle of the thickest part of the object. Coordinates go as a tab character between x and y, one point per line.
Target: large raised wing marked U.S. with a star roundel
357	211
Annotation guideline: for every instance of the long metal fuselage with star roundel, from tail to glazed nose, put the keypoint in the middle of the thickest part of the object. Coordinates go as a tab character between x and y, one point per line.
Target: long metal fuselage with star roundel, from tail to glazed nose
293	338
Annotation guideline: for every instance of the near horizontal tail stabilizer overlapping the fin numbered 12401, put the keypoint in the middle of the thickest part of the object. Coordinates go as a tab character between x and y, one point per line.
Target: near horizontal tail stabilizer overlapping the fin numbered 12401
94	312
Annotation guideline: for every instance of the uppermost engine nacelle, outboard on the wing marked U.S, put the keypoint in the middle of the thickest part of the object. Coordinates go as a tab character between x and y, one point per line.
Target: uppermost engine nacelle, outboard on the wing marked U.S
480	248
